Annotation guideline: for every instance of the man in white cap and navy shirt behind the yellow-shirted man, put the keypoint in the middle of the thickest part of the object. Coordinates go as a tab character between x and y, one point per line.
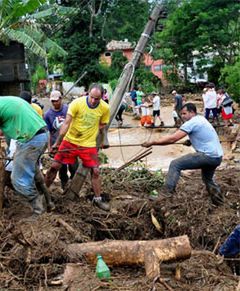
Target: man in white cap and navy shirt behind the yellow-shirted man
54	118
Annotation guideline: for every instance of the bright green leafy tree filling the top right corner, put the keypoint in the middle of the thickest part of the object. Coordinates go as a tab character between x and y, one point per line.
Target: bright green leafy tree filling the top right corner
204	28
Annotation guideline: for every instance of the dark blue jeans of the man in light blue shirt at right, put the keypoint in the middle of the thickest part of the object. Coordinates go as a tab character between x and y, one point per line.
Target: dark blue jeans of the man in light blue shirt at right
197	160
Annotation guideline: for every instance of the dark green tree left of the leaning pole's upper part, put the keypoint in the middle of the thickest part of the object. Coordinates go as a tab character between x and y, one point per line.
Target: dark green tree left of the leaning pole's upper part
85	36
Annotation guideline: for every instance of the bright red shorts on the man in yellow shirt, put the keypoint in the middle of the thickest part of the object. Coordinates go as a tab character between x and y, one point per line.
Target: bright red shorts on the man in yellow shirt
89	156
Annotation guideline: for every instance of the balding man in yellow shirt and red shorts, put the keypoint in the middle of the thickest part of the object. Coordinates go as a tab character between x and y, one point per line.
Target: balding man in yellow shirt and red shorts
77	138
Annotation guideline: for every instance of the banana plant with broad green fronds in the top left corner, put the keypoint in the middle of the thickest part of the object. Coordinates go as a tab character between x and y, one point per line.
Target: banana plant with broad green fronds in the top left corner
20	21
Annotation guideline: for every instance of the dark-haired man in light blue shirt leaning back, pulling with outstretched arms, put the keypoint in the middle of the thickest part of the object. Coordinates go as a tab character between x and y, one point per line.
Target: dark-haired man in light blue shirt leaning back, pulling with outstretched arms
208	156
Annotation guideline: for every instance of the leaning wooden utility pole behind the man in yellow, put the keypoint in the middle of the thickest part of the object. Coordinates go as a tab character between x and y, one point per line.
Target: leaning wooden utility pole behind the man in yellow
118	93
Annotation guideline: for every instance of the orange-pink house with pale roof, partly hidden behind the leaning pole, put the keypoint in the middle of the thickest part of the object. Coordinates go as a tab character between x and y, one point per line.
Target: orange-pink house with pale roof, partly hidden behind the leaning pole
127	48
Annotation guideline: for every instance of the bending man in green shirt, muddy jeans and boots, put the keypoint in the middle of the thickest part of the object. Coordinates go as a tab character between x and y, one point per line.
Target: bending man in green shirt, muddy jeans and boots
19	121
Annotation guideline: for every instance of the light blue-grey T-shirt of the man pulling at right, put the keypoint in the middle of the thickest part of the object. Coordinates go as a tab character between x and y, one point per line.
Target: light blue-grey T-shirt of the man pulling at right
203	136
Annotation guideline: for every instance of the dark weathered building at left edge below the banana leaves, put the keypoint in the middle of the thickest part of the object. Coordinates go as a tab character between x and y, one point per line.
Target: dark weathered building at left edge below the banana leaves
13	71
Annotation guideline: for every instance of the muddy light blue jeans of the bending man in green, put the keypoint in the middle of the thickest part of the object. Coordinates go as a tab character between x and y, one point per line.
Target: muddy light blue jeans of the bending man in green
25	163
